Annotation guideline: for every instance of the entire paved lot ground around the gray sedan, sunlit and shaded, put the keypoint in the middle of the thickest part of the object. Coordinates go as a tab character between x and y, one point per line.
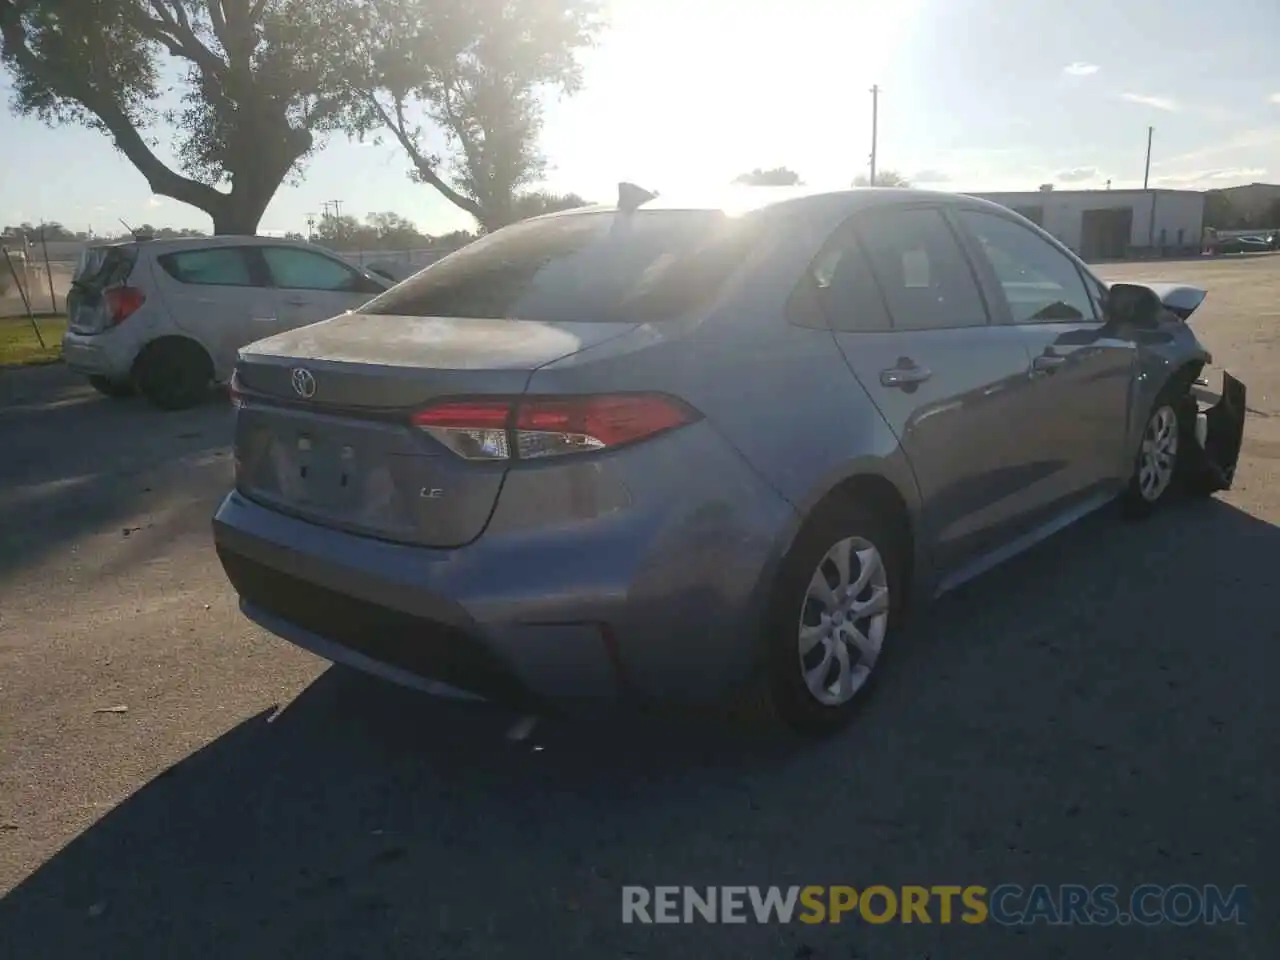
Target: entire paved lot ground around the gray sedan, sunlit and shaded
176	784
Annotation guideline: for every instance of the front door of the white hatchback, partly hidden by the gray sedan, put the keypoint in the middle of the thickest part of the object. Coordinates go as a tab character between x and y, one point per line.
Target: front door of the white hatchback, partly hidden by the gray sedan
312	286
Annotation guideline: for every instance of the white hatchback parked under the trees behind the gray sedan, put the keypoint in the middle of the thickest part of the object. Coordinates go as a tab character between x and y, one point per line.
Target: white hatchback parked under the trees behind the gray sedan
168	318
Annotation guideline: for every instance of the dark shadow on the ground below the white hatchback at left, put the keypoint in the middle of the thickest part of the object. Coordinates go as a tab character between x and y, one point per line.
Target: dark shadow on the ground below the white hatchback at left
76	463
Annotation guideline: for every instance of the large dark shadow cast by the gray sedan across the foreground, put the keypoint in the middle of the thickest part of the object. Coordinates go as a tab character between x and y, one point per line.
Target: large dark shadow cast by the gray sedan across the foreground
1100	711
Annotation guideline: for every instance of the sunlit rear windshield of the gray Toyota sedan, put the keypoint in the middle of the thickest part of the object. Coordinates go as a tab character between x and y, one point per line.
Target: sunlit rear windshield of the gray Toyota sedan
588	268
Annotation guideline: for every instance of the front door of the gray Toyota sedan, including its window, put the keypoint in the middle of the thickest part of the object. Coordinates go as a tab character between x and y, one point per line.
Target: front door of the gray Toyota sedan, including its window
1082	371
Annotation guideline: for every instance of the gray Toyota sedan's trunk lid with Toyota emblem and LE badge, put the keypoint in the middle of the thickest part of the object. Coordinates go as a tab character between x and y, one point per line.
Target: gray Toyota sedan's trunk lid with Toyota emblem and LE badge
324	427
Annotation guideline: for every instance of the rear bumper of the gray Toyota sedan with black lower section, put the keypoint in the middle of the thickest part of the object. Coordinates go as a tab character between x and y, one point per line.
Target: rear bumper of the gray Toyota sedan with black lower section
637	605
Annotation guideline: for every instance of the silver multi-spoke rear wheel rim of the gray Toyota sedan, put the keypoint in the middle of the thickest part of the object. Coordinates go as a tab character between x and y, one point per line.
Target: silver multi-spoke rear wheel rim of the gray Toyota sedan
843	621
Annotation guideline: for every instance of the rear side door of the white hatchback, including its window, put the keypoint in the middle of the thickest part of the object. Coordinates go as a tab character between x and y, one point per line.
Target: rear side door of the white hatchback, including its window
220	298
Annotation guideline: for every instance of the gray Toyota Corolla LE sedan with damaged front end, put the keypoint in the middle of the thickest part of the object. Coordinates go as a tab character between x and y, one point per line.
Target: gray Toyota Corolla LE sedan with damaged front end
661	450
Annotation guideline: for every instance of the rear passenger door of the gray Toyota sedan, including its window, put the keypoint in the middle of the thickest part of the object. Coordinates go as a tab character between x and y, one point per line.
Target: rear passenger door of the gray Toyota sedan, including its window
912	323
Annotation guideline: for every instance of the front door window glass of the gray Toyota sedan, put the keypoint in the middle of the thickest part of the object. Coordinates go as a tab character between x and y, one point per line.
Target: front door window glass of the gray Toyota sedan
1040	282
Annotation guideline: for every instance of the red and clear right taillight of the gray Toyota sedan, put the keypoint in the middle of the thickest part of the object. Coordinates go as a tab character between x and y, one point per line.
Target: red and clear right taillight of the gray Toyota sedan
534	428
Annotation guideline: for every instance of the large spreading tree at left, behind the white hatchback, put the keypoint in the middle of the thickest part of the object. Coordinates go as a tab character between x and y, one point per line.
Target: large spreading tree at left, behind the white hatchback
260	83
